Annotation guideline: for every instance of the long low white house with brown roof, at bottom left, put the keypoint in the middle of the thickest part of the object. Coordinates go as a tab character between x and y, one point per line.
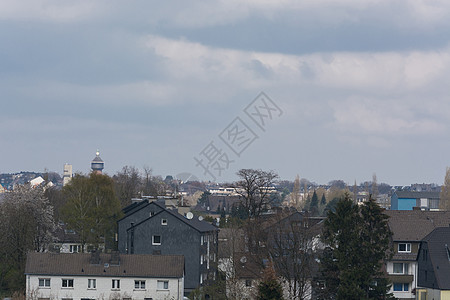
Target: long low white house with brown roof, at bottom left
94	275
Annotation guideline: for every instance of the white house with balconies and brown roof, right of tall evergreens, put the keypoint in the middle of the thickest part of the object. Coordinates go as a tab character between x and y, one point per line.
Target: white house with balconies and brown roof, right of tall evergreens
409	227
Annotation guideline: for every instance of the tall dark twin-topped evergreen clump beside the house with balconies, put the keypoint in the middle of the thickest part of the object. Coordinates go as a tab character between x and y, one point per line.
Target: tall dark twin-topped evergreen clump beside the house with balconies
357	242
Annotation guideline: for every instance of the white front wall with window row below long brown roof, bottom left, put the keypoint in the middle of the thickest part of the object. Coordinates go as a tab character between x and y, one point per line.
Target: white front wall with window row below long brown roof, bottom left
99	287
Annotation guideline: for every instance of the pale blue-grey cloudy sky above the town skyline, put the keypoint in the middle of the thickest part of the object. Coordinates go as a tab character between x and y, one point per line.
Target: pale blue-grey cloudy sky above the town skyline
352	87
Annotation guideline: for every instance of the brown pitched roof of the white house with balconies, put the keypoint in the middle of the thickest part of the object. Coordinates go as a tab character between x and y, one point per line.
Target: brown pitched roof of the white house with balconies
414	225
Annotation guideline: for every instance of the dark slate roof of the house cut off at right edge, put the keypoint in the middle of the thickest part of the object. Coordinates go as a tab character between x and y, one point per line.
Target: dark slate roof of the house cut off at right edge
439	253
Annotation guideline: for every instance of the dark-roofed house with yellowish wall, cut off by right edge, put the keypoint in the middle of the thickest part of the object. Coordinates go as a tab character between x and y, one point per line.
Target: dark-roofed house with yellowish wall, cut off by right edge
434	265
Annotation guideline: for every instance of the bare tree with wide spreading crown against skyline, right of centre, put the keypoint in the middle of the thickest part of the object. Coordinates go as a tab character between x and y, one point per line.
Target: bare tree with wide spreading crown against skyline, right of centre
255	188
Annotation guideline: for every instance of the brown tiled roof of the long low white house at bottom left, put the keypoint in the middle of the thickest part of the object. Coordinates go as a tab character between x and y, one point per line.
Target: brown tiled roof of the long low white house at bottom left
131	265
